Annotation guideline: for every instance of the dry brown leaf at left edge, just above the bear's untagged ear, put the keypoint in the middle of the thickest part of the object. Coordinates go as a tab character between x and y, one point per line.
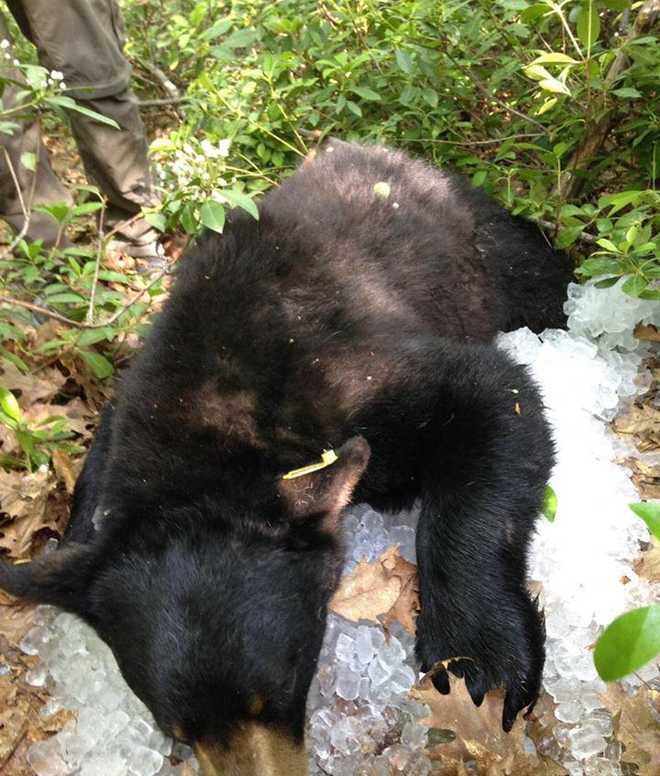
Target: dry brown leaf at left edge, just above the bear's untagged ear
23	504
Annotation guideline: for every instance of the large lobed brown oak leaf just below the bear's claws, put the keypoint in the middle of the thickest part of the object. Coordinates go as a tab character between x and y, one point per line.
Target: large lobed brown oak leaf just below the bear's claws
478	733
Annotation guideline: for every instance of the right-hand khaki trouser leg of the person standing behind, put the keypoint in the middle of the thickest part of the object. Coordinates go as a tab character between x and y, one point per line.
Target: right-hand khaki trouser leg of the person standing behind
84	40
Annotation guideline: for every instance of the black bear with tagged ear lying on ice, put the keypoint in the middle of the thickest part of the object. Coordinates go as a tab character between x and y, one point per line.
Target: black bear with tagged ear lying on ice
356	315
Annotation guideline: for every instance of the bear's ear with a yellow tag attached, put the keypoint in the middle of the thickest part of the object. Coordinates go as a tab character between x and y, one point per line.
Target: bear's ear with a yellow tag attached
325	491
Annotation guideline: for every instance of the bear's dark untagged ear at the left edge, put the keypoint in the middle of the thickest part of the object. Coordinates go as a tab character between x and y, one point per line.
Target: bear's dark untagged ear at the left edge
59	578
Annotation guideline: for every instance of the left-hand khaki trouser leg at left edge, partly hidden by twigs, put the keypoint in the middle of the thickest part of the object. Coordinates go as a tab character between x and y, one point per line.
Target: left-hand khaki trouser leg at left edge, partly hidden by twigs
40	187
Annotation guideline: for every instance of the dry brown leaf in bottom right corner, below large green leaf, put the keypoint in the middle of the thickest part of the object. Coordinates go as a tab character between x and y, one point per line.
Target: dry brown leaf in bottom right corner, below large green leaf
636	726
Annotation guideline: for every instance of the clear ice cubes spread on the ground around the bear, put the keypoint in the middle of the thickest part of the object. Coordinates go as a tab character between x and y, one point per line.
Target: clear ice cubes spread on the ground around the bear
361	721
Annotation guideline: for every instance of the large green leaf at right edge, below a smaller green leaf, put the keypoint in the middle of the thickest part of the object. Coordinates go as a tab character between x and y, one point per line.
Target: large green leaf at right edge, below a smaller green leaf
628	643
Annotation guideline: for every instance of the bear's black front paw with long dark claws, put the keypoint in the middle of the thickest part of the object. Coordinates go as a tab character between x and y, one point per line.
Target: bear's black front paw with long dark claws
501	645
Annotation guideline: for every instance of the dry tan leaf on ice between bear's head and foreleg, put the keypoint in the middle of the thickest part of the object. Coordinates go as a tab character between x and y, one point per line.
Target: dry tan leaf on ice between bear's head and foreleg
381	591
